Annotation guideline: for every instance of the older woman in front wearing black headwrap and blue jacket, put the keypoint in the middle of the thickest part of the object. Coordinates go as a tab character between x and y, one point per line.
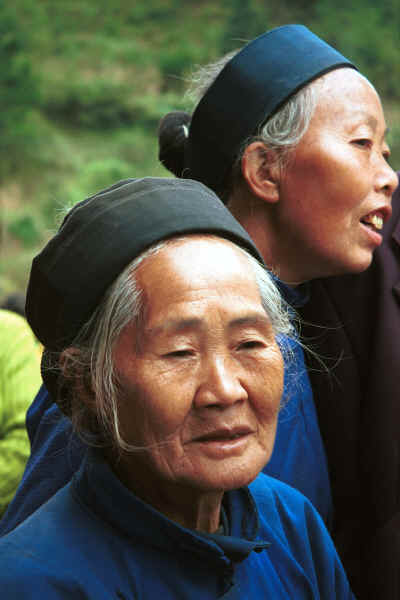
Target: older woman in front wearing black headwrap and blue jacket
162	335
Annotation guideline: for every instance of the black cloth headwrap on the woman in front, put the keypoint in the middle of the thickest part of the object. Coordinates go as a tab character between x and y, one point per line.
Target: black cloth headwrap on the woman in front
102	235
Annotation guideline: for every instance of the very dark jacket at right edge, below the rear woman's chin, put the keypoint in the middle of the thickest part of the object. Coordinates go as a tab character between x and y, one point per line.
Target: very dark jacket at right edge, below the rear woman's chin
353	322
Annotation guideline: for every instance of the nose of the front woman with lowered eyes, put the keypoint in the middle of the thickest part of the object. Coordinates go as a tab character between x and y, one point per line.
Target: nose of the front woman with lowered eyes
221	384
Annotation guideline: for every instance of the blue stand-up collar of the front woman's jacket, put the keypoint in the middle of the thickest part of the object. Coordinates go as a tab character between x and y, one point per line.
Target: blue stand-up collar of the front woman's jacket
97	487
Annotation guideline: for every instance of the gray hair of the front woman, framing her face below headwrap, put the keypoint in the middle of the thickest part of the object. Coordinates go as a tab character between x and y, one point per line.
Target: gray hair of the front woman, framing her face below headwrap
88	366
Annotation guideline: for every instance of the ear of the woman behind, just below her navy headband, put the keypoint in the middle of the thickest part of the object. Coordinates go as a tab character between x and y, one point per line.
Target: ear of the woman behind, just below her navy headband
260	170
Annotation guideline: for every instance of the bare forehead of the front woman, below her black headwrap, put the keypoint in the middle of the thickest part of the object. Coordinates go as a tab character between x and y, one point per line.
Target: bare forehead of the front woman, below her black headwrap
194	275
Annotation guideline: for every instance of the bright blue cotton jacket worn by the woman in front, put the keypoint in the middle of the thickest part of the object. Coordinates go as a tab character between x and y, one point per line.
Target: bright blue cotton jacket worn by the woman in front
96	540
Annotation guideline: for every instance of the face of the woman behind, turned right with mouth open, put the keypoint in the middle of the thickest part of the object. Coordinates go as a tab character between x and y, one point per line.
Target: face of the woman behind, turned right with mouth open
336	192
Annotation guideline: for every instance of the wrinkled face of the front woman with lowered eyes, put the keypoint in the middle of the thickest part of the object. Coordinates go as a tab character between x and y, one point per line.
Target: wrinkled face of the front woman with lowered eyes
202	390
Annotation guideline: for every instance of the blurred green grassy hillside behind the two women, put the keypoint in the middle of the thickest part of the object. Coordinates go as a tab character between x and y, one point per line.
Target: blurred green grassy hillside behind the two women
85	82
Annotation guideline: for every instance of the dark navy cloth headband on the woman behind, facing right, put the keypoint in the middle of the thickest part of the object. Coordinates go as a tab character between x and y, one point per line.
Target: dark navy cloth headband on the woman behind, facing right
248	90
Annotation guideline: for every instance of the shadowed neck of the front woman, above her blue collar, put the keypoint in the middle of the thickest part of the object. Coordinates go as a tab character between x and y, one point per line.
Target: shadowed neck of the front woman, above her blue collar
192	508
